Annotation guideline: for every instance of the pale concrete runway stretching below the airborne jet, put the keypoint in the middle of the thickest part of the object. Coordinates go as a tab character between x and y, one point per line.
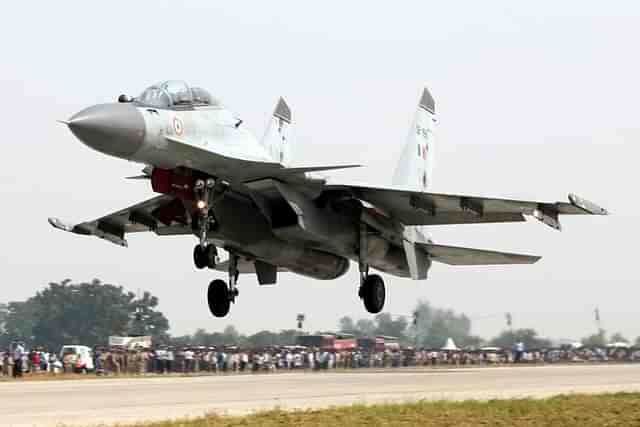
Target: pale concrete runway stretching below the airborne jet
85	402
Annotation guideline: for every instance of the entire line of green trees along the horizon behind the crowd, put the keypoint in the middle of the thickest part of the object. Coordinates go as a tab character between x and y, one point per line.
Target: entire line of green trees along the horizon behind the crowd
89	312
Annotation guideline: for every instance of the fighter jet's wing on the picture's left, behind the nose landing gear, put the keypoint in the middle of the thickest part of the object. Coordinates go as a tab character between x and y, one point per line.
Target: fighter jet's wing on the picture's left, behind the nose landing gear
150	215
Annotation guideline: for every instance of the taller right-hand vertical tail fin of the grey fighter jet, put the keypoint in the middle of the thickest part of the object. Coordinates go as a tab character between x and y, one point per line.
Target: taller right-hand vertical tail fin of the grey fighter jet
414	170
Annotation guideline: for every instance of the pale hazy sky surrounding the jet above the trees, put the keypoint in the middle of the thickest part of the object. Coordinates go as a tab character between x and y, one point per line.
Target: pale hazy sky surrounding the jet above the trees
534	99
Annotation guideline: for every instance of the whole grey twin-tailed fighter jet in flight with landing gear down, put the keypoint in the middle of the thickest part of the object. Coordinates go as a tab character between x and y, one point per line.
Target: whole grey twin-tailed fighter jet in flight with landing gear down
232	191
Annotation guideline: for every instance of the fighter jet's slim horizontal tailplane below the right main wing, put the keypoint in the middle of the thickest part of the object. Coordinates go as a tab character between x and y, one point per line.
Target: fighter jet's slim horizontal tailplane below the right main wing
453	255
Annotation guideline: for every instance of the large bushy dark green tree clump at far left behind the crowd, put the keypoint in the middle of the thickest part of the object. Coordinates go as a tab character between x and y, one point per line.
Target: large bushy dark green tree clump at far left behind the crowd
80	313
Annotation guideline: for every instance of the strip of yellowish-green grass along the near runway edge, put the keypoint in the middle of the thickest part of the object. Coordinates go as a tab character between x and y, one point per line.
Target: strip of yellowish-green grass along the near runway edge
620	409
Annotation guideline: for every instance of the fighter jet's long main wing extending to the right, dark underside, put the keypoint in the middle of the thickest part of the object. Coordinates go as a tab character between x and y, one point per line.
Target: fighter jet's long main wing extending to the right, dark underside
418	208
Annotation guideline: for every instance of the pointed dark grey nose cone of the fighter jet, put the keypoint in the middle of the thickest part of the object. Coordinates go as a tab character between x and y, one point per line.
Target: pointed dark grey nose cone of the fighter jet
114	129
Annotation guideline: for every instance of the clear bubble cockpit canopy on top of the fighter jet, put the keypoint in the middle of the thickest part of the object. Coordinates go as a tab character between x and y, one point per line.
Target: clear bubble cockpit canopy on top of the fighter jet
176	94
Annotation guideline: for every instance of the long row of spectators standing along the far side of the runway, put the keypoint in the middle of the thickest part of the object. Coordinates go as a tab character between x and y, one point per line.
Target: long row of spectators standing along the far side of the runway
201	359
